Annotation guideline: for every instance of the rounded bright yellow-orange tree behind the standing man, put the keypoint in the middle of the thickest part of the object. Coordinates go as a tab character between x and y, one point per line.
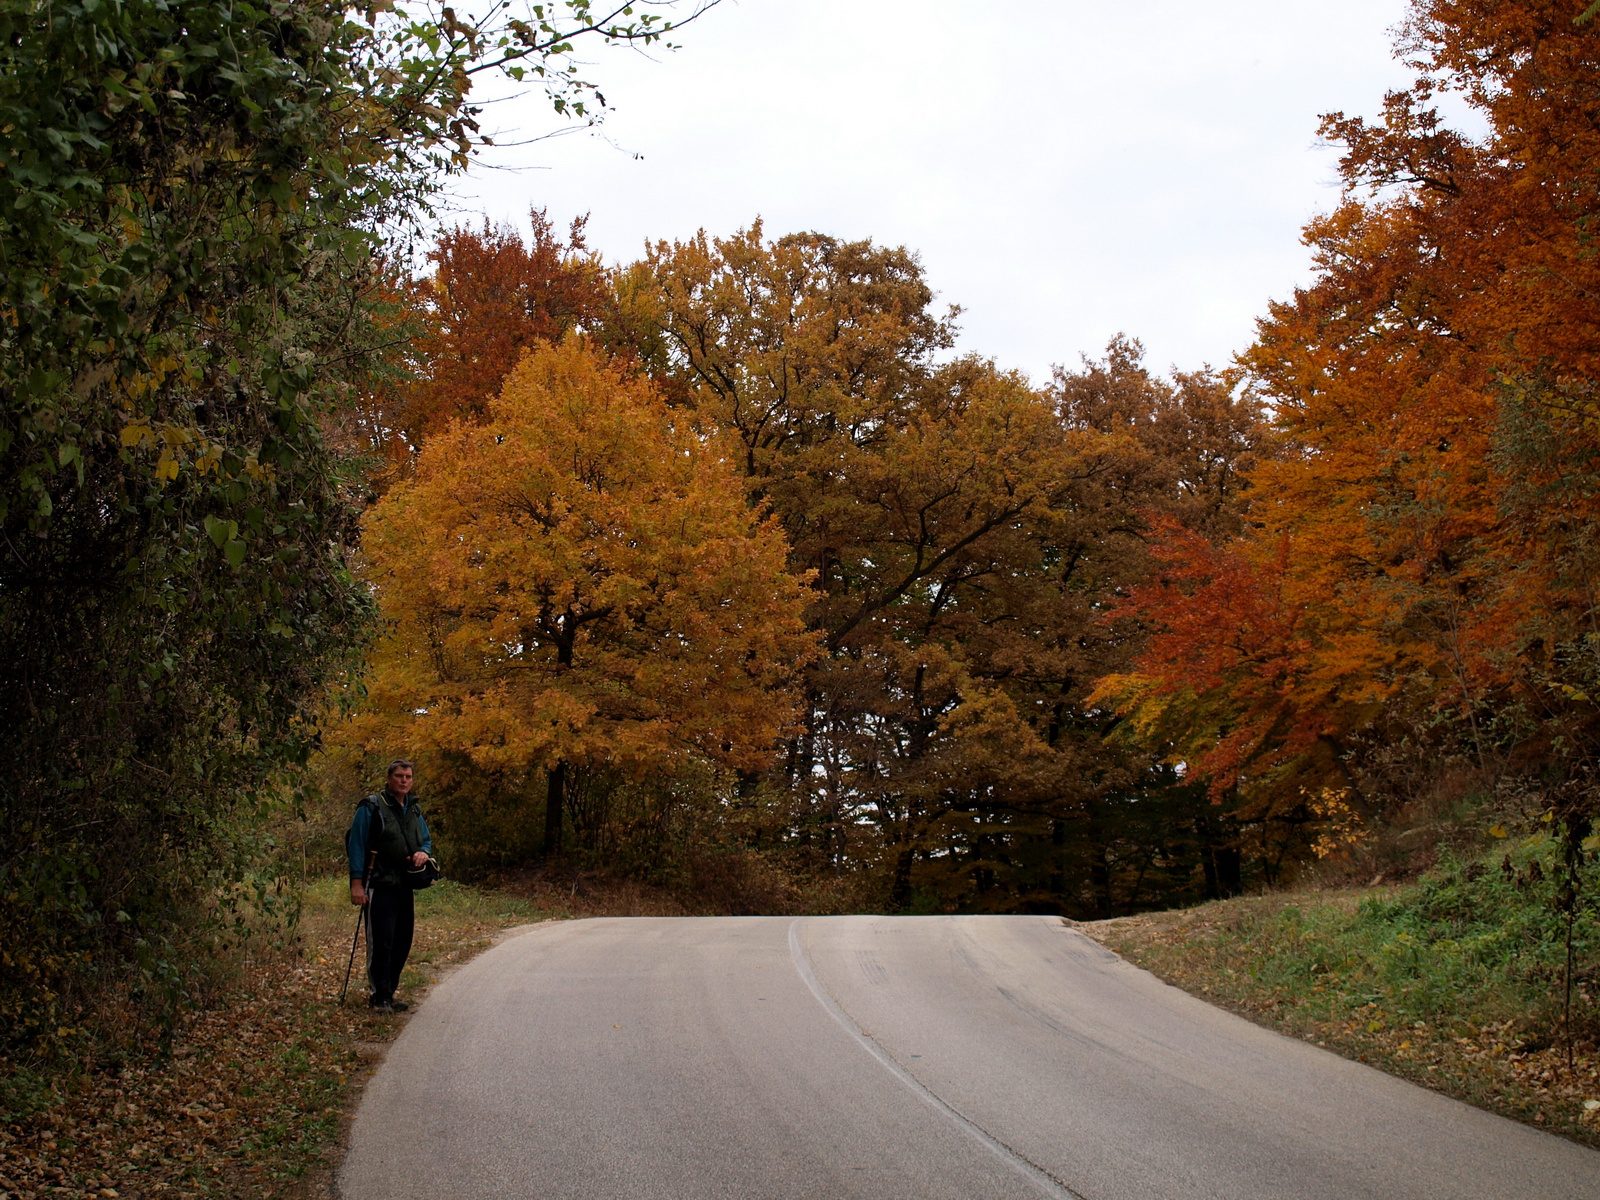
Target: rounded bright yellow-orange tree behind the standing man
580	582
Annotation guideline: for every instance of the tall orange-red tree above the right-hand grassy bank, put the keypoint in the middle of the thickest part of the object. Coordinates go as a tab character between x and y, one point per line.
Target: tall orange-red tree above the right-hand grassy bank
1428	534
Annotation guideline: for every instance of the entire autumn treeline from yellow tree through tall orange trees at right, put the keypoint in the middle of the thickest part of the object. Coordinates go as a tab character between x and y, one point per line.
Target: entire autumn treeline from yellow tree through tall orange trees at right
1113	642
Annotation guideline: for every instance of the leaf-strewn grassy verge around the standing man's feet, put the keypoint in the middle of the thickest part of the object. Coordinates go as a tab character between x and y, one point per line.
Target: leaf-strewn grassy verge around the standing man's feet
257	1092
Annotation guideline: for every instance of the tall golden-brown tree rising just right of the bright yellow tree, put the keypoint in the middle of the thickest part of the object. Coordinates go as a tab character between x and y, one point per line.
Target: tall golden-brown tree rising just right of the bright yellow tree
817	358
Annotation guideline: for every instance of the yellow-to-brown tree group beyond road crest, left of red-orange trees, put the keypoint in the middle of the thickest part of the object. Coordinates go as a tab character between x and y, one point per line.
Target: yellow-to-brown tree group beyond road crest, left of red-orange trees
878	663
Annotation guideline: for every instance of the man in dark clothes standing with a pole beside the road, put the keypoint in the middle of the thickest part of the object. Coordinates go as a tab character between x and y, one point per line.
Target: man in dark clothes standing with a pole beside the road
391	825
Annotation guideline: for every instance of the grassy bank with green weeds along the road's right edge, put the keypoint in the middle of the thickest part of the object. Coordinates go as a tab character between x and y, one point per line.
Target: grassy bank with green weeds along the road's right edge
1439	983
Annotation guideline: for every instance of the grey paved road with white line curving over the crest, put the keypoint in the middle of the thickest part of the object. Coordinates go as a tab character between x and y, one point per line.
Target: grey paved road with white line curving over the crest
890	1058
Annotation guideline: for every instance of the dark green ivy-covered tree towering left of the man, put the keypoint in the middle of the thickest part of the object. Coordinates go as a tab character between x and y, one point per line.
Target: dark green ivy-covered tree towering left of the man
193	204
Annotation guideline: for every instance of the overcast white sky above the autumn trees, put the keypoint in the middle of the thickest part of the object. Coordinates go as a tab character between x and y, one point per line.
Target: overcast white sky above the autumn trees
1066	169
